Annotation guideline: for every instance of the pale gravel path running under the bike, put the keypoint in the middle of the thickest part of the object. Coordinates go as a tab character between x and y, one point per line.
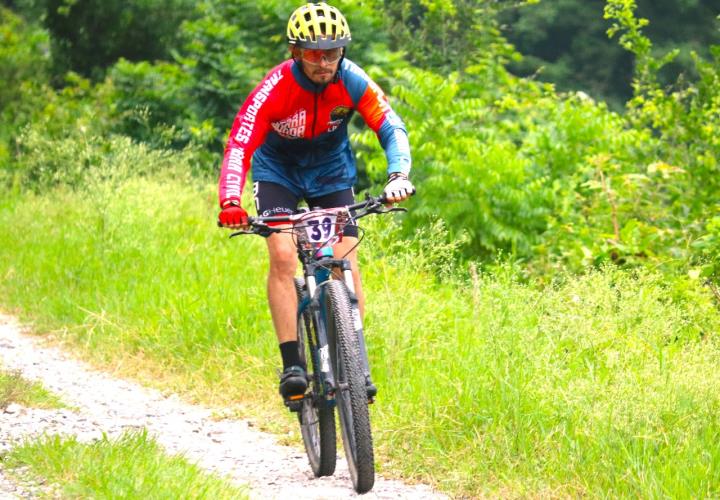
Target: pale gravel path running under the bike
106	404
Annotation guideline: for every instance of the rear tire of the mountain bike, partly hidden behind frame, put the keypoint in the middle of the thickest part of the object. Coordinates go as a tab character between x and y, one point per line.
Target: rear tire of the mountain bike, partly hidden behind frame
316	415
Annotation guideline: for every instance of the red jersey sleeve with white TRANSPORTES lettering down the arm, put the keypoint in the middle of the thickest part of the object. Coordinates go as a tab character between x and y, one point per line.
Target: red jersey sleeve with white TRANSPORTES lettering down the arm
248	132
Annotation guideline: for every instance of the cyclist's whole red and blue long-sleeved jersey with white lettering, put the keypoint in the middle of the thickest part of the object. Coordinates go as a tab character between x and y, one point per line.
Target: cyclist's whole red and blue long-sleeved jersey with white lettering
295	132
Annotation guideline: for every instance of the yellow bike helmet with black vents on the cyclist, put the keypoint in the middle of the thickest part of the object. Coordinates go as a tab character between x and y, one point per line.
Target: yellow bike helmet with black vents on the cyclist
318	26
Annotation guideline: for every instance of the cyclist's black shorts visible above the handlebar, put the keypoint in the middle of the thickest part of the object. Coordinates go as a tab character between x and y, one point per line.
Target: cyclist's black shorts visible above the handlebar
274	199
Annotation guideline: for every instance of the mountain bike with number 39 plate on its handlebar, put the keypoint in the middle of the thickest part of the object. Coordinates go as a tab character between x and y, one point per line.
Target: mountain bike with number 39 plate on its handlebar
330	339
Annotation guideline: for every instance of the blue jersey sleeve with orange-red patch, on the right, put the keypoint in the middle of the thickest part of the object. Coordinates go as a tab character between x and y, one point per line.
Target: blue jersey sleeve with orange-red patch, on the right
373	106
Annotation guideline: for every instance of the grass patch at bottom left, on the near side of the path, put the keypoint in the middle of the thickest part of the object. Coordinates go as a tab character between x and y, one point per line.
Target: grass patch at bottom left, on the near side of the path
131	466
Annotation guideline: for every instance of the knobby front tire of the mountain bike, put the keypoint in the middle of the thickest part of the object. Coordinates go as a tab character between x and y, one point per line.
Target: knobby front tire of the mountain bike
351	393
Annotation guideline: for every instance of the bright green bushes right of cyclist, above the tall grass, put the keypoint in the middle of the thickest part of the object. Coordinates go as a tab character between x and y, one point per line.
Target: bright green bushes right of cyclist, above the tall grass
559	180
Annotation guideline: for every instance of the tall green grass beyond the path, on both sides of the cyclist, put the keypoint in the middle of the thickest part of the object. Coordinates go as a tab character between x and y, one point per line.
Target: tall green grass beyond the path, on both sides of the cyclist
603	385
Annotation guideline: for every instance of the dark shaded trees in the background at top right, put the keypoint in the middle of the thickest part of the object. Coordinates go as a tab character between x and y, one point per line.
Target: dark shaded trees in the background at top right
564	42
